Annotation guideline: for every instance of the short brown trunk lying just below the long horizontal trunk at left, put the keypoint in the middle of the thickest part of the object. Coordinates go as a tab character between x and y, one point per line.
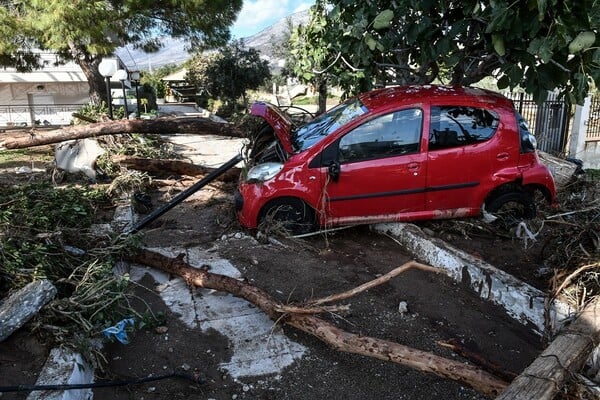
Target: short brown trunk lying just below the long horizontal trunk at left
173	167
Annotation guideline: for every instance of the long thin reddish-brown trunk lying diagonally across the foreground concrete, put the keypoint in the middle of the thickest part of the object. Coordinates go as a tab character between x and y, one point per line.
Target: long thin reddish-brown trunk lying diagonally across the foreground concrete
327	332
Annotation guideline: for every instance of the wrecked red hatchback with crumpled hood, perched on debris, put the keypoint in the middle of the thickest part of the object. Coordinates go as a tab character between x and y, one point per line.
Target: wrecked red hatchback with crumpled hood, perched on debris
393	154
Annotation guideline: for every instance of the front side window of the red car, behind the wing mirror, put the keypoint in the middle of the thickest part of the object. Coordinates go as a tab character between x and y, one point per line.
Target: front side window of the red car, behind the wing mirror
389	135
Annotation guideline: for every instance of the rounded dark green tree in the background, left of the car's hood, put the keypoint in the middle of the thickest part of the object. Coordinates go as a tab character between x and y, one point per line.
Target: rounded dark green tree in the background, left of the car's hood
230	73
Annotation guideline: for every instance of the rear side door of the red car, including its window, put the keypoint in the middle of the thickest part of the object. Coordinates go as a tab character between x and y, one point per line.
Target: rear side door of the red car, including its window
460	156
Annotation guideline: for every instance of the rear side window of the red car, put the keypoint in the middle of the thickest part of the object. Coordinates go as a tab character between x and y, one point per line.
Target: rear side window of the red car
455	126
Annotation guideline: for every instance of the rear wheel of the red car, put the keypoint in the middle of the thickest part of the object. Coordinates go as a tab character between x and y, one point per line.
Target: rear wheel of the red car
512	207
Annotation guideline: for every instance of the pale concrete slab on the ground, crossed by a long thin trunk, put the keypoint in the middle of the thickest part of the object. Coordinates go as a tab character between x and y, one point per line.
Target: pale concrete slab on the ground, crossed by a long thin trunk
258	347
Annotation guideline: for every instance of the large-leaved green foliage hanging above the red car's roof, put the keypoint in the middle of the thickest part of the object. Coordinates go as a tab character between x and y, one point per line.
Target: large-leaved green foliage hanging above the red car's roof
538	45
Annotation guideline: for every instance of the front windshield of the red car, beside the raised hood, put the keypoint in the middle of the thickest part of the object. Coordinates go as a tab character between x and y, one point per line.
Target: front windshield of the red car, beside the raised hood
314	131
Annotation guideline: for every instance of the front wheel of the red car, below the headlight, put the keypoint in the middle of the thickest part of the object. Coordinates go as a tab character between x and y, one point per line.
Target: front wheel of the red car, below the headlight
290	214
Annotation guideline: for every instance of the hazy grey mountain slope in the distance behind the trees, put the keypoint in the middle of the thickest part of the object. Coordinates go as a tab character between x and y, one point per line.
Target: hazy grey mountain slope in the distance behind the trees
174	51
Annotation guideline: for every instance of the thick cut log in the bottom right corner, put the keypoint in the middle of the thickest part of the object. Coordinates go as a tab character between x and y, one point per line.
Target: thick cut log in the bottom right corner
566	355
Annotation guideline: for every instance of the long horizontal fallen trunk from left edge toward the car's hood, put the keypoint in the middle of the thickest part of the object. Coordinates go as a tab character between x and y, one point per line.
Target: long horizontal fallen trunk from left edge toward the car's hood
189	125
